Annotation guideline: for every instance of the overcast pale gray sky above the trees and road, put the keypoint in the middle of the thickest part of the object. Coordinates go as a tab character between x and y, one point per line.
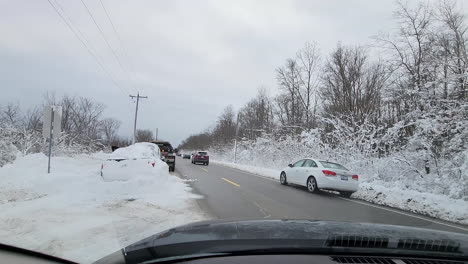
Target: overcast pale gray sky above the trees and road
191	58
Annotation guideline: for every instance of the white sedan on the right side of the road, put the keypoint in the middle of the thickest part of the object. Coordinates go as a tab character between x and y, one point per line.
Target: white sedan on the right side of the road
318	174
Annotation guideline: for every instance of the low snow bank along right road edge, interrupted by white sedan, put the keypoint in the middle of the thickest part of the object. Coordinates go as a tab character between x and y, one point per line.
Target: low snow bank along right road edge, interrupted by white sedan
389	194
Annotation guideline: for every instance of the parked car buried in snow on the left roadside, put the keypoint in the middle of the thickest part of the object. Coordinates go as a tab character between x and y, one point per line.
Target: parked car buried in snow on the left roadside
130	160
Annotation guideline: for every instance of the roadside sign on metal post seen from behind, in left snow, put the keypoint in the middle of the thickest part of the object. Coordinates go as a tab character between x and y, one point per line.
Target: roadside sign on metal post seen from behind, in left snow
51	126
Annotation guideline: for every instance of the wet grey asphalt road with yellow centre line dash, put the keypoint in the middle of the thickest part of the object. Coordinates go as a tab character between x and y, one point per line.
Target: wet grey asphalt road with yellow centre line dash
233	194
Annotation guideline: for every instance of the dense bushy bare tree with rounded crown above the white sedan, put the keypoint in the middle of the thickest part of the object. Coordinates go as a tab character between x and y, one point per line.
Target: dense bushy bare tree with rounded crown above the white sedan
351	85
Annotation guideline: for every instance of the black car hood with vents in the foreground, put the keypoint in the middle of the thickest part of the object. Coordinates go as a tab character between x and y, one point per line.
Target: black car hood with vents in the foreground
296	236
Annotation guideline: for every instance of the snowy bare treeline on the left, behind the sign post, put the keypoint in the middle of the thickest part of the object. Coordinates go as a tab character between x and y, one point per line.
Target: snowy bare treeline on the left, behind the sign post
84	128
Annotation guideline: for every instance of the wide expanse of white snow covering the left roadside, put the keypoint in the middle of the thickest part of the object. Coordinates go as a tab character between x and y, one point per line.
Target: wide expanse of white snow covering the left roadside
73	213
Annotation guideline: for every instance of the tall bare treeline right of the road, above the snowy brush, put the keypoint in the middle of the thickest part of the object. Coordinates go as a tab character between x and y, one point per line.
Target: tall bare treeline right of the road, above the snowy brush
412	95
